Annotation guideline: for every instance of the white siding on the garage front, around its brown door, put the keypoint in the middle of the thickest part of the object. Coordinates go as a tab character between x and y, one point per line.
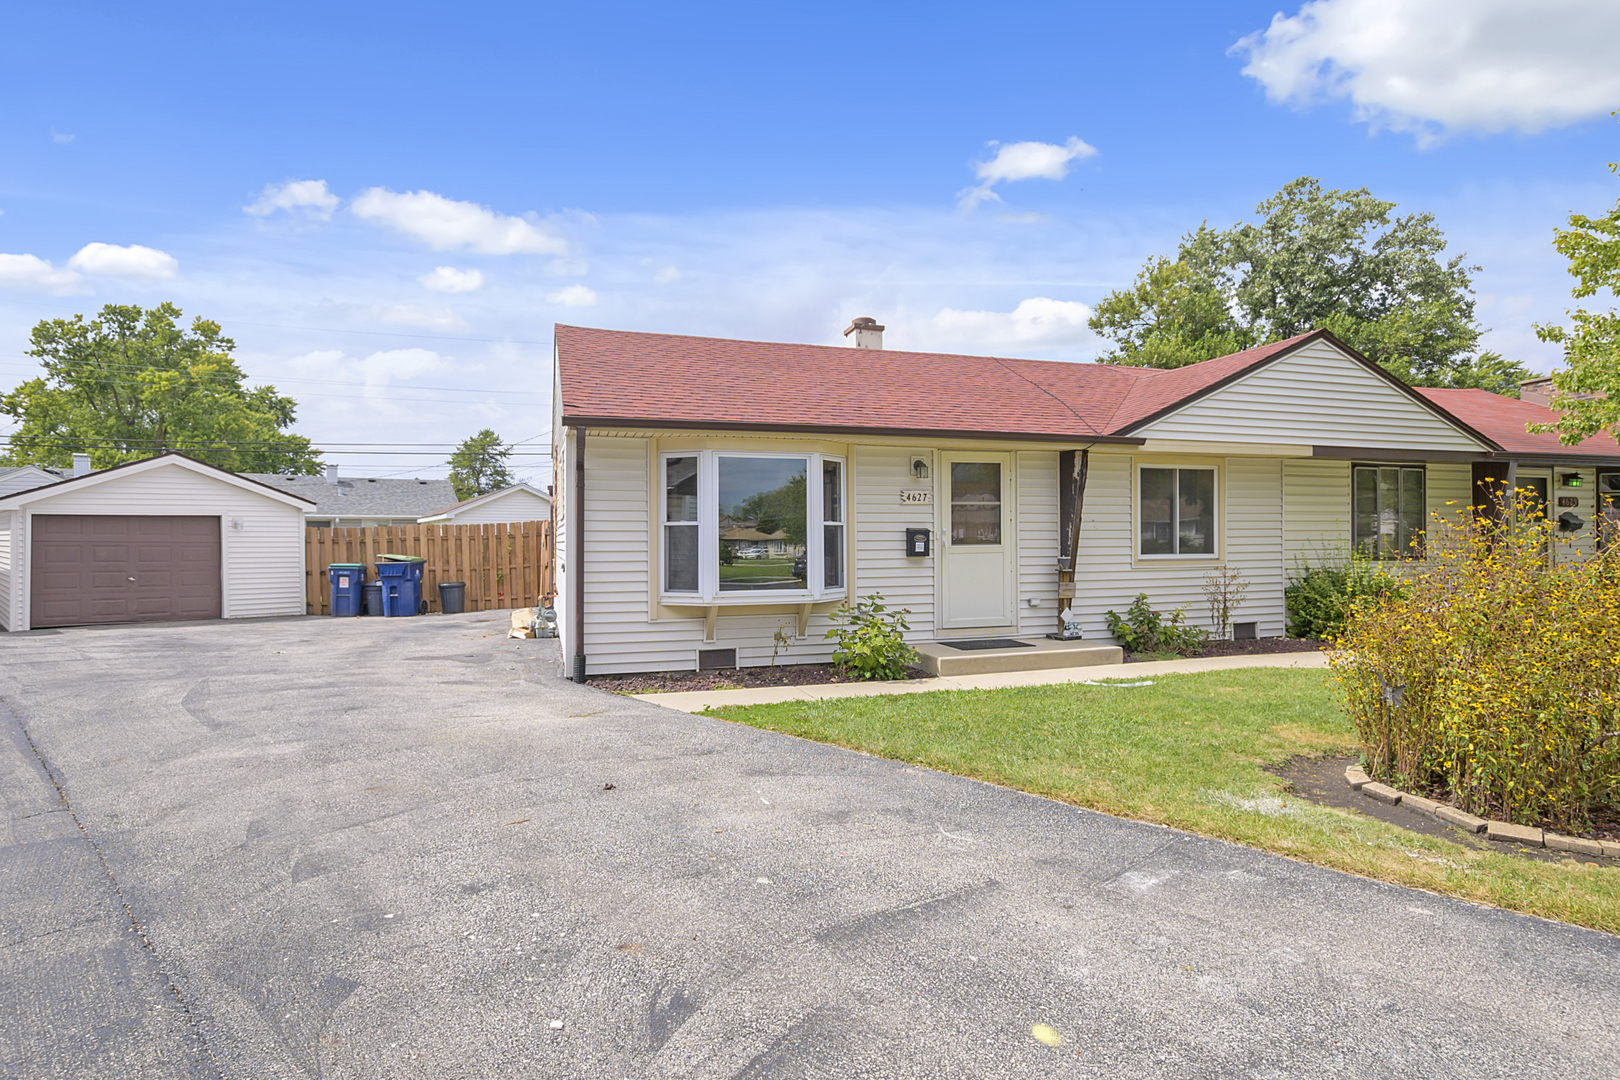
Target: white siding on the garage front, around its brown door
263	561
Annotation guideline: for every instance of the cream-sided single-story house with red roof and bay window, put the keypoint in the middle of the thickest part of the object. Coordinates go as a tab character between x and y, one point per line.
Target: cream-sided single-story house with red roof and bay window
955	485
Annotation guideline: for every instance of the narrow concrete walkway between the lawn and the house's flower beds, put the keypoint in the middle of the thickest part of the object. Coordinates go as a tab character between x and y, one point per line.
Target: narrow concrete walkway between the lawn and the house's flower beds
699	700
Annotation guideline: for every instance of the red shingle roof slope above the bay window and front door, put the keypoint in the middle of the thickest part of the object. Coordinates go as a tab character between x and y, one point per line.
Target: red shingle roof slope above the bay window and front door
616	376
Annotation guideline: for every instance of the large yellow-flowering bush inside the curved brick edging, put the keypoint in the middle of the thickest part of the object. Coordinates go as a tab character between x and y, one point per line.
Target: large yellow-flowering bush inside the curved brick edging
1493	676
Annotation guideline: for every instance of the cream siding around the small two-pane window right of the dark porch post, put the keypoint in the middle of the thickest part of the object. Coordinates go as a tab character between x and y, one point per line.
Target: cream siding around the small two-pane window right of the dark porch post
1250	503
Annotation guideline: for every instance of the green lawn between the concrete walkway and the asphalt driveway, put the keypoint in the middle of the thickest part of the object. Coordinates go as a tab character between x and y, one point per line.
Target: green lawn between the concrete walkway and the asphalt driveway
1188	752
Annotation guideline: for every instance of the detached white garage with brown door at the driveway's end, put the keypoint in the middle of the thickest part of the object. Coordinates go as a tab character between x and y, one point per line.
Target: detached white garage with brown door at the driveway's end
150	542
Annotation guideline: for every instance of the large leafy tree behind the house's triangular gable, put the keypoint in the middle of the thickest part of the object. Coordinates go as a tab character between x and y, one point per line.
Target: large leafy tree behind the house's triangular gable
1313	258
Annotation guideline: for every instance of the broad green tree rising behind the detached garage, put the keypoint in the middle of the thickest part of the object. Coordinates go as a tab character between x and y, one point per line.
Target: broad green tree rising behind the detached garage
130	385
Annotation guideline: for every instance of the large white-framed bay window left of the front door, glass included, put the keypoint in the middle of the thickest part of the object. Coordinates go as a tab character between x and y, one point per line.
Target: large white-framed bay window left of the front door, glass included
743	527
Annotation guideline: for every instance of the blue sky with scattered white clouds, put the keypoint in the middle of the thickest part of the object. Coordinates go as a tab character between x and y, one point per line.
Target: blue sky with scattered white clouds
744	171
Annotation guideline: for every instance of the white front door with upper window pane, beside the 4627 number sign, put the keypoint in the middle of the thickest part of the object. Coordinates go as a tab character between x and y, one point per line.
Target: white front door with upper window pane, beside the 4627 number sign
979	543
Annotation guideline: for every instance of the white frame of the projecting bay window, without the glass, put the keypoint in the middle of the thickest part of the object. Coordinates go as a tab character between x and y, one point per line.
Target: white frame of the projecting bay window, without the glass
709	530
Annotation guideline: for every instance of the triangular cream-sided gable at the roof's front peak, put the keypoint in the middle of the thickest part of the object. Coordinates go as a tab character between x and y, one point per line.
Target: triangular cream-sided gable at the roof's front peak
1318	398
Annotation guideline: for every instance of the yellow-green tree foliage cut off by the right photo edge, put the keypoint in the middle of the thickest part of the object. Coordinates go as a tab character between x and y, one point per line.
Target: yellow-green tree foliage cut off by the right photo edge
1588	386
